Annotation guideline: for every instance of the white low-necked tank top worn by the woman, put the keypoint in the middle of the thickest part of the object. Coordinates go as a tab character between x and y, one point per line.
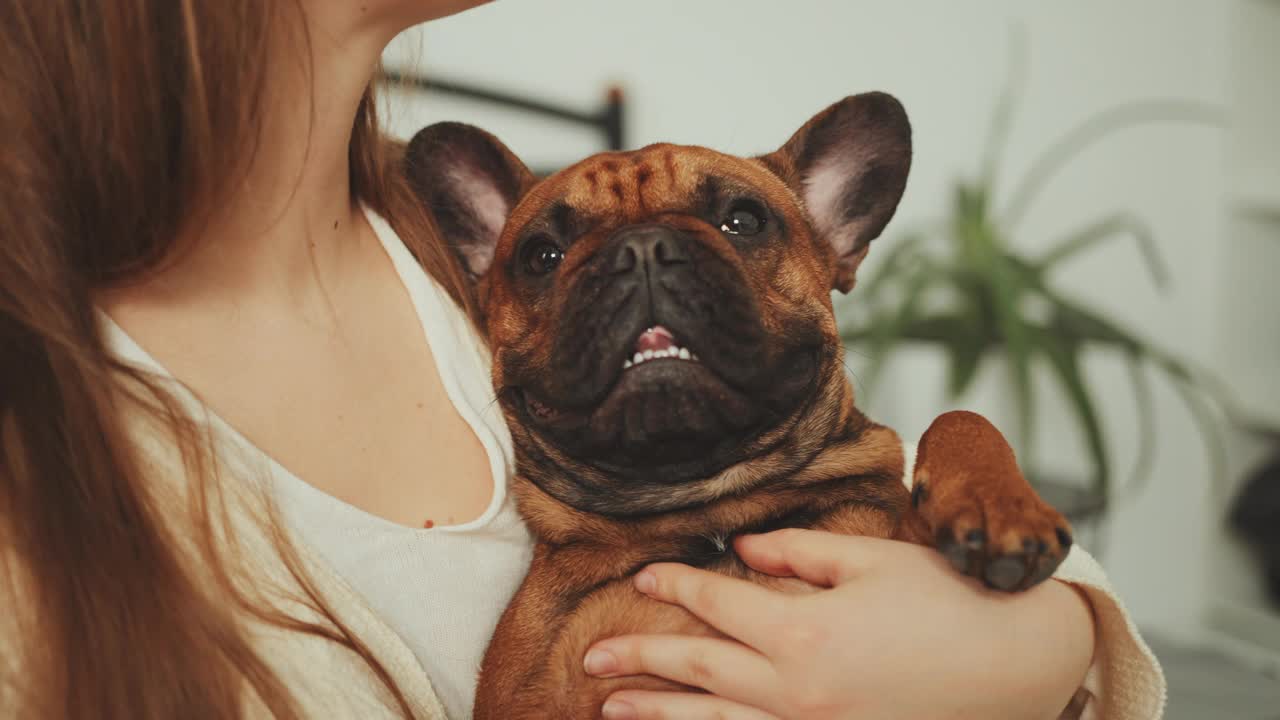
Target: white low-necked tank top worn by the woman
442	590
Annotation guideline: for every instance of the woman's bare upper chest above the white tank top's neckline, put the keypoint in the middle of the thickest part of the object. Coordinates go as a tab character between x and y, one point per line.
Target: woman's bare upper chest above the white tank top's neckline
359	404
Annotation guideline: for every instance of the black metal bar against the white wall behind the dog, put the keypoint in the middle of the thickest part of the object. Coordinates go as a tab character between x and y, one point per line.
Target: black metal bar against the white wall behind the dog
609	121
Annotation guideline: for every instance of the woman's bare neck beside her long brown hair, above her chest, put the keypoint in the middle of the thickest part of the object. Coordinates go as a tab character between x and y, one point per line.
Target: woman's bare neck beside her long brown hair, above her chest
290	225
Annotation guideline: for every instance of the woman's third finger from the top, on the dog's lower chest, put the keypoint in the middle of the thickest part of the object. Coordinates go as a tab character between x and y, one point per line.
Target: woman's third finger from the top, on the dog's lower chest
720	667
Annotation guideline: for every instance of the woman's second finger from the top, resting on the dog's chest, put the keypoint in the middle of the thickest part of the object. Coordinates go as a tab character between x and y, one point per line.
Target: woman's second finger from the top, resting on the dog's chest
746	612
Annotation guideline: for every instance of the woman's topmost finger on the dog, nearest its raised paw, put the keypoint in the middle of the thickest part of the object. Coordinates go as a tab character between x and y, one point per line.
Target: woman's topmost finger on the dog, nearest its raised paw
815	557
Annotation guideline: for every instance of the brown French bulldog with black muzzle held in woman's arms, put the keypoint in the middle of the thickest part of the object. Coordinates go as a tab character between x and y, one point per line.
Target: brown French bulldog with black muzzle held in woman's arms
668	358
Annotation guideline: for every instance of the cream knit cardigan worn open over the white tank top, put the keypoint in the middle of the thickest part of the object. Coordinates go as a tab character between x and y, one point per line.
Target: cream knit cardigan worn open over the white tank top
330	682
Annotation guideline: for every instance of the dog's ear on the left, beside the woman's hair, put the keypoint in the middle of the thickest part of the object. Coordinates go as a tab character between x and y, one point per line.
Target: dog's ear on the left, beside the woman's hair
470	183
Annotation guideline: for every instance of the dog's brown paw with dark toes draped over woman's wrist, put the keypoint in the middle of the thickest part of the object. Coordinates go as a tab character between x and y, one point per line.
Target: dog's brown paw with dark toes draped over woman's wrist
1011	541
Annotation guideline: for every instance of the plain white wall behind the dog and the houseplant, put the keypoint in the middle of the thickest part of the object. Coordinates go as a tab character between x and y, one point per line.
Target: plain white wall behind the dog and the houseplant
742	75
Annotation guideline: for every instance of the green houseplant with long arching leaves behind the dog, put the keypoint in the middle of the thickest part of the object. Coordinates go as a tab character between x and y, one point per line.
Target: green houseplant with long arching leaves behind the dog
963	286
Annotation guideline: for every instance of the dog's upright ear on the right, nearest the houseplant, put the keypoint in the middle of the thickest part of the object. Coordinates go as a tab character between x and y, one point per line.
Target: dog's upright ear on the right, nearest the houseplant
849	166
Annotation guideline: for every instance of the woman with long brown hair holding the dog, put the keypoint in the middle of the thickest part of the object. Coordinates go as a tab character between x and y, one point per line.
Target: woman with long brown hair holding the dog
207	181
